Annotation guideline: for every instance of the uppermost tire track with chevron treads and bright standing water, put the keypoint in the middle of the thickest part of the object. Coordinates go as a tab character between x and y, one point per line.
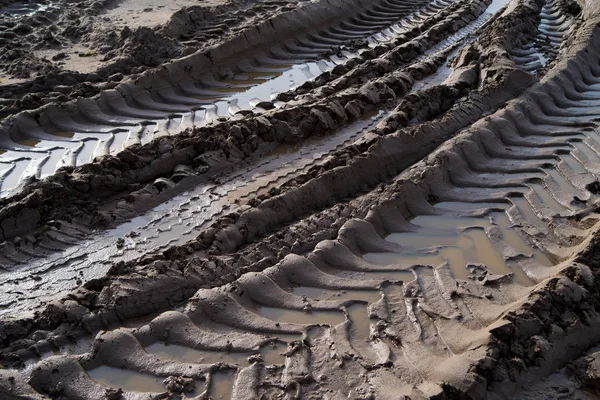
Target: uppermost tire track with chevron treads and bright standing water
116	119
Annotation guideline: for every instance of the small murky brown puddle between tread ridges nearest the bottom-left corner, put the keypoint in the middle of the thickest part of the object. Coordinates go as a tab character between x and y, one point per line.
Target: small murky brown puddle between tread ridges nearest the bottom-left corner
127	380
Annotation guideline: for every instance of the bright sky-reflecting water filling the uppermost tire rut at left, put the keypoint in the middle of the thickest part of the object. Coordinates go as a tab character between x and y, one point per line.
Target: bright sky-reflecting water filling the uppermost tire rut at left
243	92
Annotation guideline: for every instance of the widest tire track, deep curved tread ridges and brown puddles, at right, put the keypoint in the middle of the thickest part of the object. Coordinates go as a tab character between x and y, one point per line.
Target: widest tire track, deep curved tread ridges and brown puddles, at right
470	229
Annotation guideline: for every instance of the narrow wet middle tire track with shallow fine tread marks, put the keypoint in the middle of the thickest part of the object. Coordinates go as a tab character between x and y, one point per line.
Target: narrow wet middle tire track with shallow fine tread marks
57	272
